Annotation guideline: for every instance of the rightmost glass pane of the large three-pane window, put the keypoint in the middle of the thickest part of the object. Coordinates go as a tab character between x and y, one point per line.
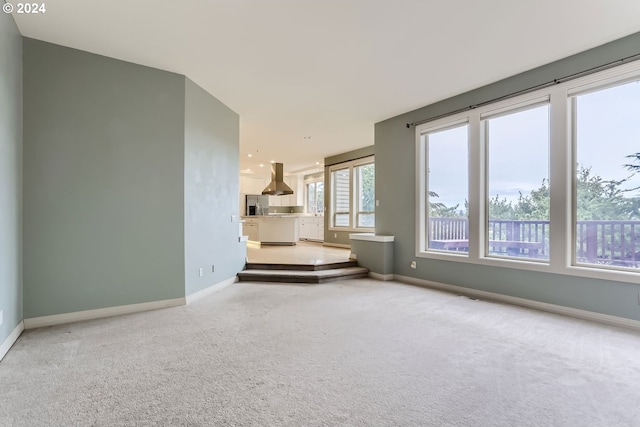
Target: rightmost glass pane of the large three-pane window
607	189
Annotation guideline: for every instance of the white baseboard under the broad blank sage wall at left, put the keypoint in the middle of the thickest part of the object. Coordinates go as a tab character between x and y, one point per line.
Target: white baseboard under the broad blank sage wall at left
77	316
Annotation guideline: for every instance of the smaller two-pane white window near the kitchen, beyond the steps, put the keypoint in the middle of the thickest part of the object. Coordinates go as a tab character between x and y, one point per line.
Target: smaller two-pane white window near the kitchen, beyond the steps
353	195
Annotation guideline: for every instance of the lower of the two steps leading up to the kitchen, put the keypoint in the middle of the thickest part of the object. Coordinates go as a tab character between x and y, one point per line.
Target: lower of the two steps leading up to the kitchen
300	276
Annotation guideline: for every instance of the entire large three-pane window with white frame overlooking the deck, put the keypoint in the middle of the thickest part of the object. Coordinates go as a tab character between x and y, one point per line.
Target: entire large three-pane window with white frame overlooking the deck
495	181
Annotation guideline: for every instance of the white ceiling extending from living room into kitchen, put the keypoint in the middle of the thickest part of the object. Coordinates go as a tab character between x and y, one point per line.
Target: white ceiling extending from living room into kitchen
330	69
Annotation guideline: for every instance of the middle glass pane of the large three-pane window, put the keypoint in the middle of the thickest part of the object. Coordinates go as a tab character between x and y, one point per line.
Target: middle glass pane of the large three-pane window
518	182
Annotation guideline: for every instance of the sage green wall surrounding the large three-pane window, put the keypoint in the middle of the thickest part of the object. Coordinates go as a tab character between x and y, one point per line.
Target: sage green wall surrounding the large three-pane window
395	188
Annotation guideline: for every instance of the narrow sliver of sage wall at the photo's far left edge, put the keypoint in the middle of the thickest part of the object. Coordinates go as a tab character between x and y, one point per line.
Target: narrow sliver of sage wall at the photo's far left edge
10	175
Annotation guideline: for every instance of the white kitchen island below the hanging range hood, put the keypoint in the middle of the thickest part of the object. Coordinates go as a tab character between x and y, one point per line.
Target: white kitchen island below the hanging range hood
272	229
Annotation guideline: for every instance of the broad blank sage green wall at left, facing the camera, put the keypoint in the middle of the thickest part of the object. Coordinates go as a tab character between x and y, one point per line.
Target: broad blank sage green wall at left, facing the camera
103	181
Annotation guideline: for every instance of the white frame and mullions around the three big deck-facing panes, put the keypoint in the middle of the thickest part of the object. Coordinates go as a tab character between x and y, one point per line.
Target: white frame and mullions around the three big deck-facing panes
561	175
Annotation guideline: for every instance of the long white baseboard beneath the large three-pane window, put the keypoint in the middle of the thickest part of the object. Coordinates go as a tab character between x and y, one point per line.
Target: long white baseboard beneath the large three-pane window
538	305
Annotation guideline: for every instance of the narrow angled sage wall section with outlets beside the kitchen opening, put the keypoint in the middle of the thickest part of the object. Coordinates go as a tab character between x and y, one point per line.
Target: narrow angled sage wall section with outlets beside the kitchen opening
212	187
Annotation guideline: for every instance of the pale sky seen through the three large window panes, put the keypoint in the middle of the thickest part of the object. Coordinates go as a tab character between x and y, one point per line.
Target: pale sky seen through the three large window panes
608	129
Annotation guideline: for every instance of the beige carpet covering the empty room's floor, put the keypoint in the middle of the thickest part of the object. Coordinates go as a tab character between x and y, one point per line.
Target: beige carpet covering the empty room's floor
353	353
